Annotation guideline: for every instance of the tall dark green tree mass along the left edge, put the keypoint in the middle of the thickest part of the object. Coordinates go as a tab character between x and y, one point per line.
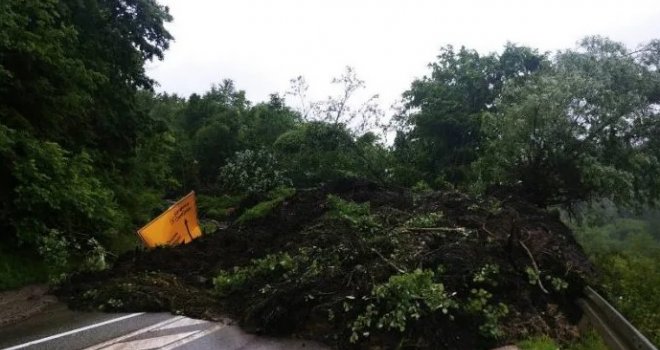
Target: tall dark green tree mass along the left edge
74	138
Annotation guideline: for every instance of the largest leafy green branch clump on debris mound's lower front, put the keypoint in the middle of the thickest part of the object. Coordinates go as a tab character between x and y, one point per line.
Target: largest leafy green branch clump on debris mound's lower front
403	298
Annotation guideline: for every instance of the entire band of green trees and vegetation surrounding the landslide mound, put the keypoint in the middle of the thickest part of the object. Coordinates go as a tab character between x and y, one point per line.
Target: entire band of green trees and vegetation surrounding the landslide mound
89	152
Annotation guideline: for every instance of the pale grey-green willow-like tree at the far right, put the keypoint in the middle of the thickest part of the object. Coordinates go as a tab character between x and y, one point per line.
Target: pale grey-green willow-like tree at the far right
578	131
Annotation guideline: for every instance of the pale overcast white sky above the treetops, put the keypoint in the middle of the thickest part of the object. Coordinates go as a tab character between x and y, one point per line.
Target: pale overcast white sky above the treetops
261	44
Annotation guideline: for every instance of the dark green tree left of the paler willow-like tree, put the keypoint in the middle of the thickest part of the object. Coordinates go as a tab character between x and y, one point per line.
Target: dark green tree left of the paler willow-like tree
442	112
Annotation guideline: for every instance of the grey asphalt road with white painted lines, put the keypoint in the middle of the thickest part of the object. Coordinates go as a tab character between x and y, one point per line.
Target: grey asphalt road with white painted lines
59	328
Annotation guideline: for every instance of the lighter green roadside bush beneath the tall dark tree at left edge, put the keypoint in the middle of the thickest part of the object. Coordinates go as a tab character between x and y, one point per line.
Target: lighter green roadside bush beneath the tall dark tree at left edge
59	205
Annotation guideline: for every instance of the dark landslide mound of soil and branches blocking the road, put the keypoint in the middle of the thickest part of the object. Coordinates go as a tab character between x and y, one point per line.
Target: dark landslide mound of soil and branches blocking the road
357	265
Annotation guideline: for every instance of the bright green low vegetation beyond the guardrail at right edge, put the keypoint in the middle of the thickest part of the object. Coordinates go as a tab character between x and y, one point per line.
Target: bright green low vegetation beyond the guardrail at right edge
628	255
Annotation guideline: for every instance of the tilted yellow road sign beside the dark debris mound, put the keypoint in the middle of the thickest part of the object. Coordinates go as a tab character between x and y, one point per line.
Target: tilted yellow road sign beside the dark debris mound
176	225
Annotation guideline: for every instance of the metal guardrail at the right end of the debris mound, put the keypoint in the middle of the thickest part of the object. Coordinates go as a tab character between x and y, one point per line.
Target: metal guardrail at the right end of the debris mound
615	330
